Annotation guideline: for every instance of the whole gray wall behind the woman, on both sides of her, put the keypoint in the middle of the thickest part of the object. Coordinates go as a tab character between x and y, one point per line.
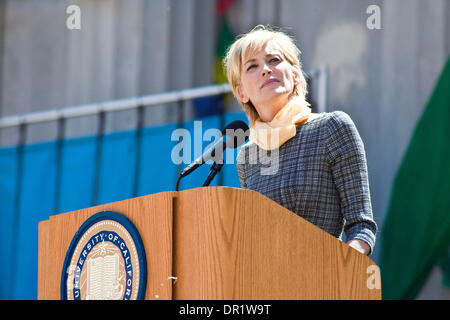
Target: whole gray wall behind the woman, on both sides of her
382	78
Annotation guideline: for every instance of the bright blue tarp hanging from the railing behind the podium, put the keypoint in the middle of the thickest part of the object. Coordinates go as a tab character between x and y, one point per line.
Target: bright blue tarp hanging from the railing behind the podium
76	175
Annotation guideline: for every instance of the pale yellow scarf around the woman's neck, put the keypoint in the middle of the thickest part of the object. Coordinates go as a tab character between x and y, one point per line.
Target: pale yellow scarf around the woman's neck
271	135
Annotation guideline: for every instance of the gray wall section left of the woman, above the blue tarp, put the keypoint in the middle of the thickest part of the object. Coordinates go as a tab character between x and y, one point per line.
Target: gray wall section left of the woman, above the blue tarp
125	48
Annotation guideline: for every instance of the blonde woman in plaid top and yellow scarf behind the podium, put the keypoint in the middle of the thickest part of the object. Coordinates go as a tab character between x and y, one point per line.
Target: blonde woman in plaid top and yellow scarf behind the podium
321	173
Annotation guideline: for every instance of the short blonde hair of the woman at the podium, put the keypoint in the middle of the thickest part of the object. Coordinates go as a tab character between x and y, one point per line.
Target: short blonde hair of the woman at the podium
250	44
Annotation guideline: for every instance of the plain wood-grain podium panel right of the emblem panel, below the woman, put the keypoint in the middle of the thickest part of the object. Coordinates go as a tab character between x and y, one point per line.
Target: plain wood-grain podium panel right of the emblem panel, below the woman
236	244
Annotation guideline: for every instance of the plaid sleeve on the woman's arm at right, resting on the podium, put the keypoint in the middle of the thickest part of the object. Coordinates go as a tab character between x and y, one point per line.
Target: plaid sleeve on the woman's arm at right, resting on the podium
347	161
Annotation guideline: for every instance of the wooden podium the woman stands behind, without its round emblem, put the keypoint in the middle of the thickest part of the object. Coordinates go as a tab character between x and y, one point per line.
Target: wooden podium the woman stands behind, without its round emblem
220	243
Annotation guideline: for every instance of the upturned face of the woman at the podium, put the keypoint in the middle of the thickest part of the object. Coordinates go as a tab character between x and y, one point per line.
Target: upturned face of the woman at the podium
267	80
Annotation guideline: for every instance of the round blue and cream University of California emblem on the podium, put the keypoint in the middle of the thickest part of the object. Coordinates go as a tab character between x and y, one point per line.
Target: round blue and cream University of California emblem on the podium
105	261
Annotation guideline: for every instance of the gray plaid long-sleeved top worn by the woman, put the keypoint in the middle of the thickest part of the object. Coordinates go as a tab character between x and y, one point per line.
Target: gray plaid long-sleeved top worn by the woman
320	174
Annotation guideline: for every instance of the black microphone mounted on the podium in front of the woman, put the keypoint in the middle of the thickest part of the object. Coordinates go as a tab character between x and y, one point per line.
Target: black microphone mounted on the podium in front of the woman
233	135
